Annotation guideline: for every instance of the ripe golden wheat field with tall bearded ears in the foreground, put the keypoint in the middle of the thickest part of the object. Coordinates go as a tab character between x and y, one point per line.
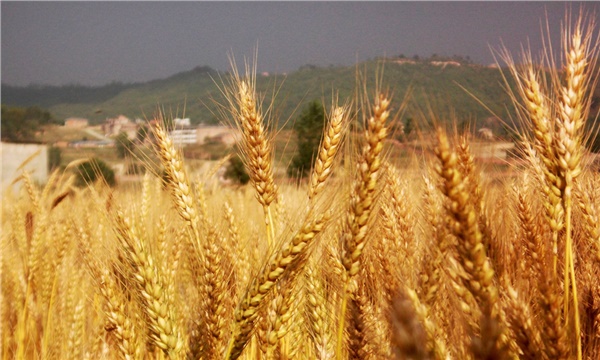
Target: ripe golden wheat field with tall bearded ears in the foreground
366	260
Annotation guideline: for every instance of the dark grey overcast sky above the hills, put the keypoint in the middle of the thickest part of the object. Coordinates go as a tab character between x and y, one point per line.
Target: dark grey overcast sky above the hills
95	43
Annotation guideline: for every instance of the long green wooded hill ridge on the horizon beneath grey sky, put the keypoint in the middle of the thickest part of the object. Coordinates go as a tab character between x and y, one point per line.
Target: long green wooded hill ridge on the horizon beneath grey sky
434	83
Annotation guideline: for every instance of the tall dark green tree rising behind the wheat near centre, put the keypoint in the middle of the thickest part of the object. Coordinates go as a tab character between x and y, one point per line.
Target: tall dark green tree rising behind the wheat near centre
308	128
